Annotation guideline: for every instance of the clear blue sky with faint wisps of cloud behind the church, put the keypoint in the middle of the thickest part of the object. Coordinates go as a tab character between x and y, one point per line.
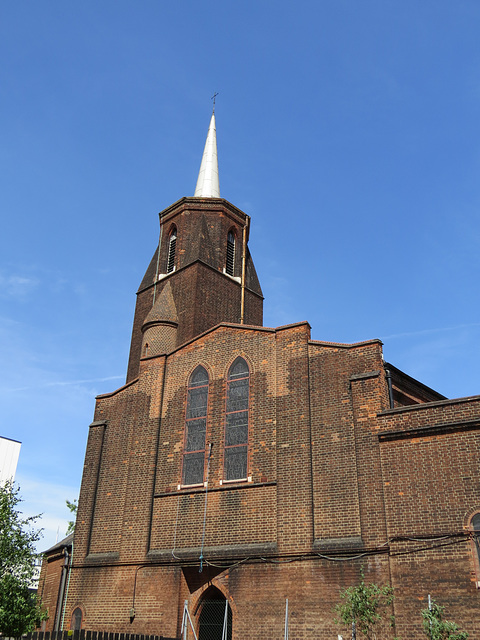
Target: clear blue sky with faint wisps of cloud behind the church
348	130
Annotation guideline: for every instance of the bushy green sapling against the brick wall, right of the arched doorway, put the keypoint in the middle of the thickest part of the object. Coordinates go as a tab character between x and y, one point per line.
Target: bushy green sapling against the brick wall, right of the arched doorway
363	607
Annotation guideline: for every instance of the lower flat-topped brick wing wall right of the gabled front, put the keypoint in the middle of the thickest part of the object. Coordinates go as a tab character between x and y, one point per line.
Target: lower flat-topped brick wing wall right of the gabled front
430	458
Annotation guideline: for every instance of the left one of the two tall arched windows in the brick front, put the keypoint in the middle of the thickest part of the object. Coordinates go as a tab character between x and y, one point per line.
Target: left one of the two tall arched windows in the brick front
195	427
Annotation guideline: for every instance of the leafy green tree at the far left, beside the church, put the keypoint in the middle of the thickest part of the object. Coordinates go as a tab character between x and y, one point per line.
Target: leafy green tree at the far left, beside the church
19	609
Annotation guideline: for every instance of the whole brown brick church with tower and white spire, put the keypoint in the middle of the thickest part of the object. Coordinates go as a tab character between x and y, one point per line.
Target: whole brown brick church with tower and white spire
243	465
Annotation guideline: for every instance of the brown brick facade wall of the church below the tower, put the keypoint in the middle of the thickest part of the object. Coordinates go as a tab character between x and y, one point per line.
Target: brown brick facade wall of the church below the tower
336	478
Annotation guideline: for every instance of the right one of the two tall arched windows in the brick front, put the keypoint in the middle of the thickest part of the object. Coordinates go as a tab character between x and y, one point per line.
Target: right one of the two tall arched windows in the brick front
236	422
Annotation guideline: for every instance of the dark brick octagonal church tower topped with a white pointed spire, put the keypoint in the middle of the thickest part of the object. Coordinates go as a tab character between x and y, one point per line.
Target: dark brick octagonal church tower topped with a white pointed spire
201	273
